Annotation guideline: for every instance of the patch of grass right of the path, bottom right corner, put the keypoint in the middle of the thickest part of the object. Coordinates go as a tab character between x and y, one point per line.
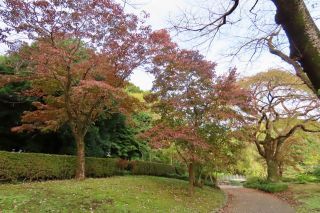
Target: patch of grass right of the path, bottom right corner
308	195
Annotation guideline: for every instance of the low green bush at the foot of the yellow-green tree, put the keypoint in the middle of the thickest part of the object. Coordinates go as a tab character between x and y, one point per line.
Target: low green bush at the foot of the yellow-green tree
263	185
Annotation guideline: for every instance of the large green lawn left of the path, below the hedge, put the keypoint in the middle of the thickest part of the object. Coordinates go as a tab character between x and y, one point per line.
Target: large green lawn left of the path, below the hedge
115	194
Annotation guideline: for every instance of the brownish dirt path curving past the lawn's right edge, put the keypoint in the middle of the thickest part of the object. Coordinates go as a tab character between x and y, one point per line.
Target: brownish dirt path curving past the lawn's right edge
243	200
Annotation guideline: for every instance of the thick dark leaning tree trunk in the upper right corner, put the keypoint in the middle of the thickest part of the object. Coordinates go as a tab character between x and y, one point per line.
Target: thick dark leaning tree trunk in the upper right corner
303	36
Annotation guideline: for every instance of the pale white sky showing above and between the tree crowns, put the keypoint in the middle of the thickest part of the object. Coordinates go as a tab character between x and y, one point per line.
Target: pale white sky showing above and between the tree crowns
162	11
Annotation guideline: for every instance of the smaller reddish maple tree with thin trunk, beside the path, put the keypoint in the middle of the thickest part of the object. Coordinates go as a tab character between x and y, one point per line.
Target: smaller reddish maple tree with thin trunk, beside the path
187	94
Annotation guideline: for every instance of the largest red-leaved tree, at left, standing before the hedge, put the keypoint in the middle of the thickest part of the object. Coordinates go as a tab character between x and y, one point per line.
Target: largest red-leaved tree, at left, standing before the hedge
81	56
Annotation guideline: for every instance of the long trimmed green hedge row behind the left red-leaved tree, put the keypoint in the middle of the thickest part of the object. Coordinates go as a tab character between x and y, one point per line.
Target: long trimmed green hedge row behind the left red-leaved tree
34	166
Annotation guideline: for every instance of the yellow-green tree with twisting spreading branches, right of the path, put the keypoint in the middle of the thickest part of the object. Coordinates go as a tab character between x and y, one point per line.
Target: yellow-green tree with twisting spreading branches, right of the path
281	106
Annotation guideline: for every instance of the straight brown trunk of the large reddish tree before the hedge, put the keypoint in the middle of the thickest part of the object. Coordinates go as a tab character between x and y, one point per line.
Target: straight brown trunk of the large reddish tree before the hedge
80	172
